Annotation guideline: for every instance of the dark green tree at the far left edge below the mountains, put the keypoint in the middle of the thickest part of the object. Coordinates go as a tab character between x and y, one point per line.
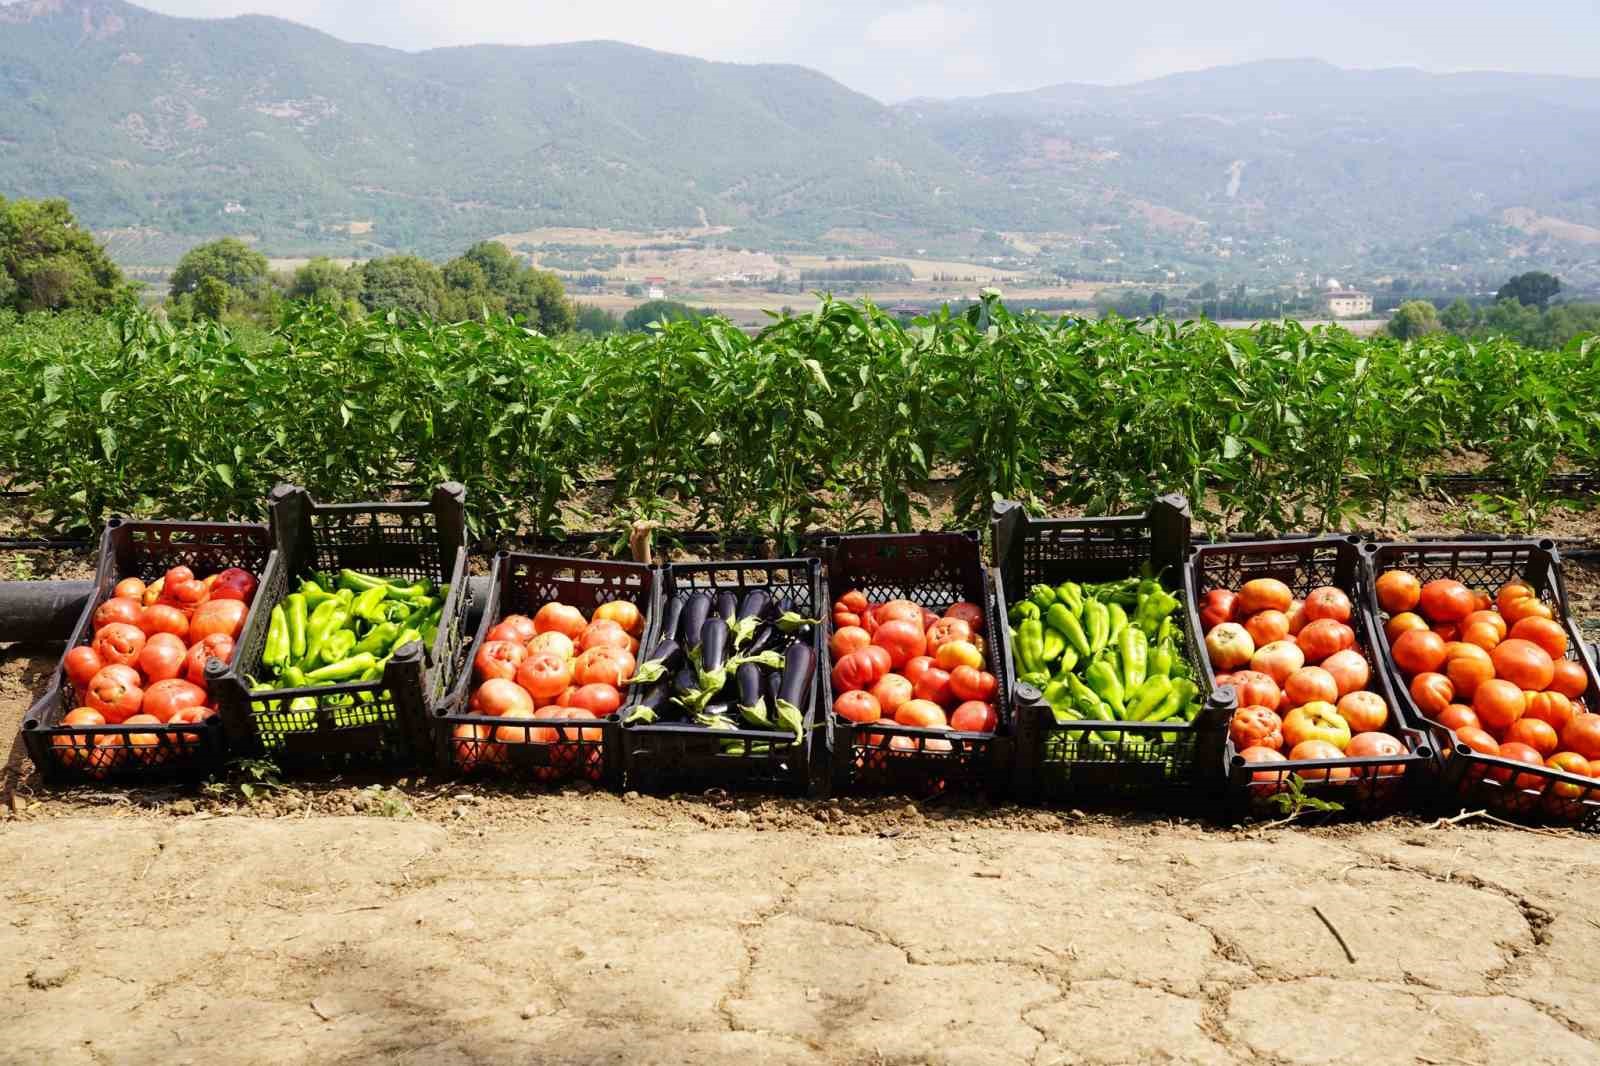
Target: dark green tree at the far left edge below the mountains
50	263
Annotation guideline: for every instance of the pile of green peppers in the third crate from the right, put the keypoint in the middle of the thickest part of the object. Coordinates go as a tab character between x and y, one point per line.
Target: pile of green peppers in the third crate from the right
1105	652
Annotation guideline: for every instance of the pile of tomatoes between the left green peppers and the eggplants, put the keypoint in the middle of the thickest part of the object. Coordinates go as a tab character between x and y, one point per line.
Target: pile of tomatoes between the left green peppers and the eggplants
554	667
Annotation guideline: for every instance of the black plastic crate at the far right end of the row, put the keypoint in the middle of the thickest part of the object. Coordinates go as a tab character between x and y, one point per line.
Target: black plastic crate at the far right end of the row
1466	777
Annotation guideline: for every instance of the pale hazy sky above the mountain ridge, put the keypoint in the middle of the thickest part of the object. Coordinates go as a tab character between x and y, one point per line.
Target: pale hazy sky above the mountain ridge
898	49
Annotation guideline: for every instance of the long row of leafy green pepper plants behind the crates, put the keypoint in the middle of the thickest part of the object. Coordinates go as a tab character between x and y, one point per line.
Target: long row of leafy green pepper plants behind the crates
828	420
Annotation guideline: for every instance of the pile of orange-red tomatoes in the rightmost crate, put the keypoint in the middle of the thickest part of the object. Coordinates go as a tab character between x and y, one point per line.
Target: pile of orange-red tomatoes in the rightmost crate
1495	673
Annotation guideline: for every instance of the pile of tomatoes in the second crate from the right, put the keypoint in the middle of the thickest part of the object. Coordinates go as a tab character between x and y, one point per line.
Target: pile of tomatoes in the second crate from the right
1302	683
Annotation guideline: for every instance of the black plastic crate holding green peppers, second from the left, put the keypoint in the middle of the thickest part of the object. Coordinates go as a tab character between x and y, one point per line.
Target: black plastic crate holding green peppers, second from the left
383	724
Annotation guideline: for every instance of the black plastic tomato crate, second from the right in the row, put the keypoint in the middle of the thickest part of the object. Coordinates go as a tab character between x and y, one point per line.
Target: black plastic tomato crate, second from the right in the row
1367	788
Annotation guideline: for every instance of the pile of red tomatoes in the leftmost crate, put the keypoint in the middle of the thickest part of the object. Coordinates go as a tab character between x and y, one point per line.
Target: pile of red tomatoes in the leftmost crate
146	663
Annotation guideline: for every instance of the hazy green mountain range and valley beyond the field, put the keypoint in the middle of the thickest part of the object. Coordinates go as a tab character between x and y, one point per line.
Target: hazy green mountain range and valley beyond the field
172	130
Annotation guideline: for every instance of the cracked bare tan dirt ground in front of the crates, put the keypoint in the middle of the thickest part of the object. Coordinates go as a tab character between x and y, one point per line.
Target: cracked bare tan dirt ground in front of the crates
423	921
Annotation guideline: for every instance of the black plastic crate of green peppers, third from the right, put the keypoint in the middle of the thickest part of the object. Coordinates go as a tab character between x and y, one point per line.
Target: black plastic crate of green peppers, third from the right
1150	764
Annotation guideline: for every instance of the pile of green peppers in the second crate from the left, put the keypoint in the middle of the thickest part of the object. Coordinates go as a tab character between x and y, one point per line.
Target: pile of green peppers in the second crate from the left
345	630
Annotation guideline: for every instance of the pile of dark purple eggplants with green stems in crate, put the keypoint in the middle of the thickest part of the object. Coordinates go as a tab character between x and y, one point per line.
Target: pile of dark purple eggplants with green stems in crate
730	663
